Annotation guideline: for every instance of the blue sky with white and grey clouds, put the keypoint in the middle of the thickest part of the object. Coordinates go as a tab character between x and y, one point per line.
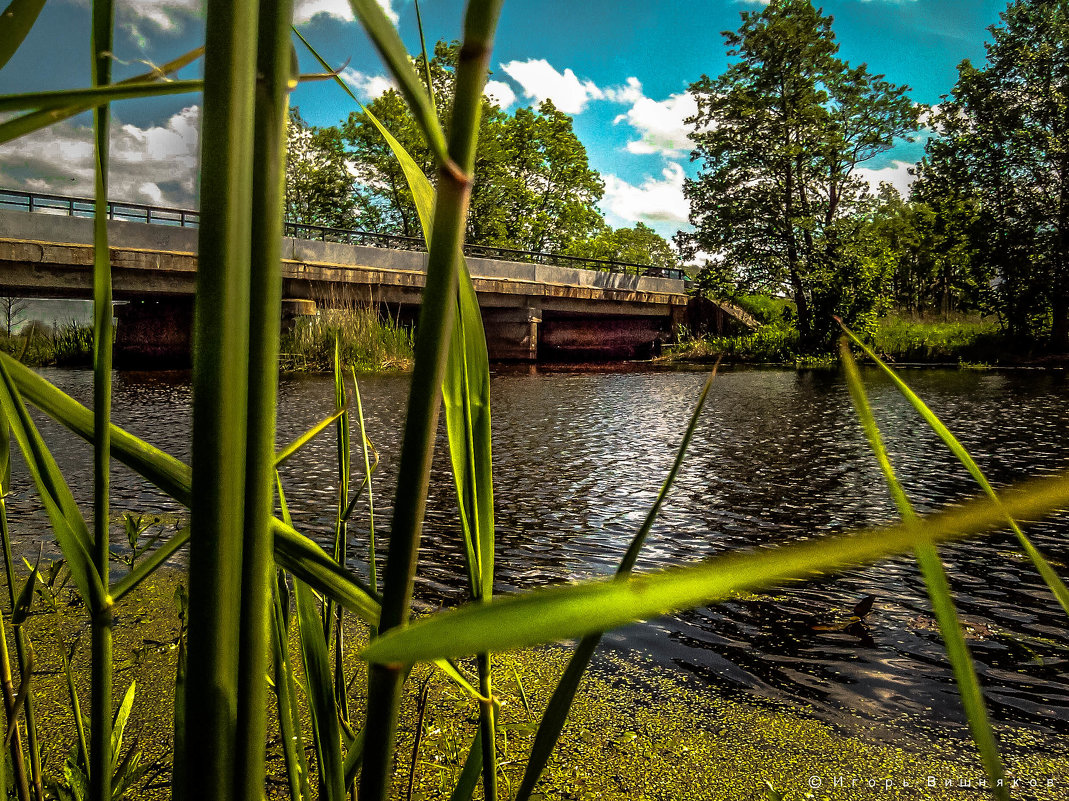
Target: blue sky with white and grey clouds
619	68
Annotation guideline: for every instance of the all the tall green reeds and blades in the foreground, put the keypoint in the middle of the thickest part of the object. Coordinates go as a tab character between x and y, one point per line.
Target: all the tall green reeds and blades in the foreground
249	569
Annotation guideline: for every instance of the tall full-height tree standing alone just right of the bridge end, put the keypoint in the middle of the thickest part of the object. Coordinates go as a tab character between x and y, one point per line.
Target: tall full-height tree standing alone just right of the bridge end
781	135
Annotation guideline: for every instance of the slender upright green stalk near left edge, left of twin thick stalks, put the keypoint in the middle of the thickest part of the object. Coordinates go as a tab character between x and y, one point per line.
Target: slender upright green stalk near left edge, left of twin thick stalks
100	747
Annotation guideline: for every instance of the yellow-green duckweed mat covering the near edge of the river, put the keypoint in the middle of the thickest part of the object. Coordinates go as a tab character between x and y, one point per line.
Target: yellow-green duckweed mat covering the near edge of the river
636	732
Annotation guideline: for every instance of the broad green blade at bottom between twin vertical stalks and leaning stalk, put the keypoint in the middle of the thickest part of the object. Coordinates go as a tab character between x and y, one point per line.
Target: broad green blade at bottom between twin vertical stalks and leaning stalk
322	707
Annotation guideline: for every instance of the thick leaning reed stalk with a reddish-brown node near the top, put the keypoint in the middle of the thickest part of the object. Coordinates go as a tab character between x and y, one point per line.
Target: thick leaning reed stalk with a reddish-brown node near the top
425	399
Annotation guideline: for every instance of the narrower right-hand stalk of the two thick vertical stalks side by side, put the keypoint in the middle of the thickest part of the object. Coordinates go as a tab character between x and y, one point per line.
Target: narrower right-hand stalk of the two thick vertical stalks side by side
266	303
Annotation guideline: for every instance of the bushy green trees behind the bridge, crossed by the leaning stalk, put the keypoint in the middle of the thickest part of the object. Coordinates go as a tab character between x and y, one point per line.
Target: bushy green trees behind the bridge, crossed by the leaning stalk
534	189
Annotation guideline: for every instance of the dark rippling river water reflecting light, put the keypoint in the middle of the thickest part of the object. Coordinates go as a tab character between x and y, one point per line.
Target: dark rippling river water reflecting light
778	457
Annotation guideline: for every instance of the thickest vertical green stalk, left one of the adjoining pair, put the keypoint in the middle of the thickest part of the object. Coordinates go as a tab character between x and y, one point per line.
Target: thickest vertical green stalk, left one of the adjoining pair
222	397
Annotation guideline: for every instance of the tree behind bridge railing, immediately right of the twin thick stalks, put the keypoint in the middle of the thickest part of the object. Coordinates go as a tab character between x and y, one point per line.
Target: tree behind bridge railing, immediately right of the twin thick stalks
320	188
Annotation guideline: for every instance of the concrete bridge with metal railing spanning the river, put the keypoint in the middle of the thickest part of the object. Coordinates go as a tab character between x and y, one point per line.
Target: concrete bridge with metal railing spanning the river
534	305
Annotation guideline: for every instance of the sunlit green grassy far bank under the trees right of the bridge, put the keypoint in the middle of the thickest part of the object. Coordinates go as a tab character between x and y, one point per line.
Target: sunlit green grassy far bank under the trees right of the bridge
970	343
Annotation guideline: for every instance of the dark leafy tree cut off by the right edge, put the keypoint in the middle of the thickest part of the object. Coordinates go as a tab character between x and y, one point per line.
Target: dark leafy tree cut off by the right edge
1005	146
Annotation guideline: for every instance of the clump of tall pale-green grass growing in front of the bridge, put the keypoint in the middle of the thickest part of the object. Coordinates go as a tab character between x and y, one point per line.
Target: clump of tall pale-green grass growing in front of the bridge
367	342
